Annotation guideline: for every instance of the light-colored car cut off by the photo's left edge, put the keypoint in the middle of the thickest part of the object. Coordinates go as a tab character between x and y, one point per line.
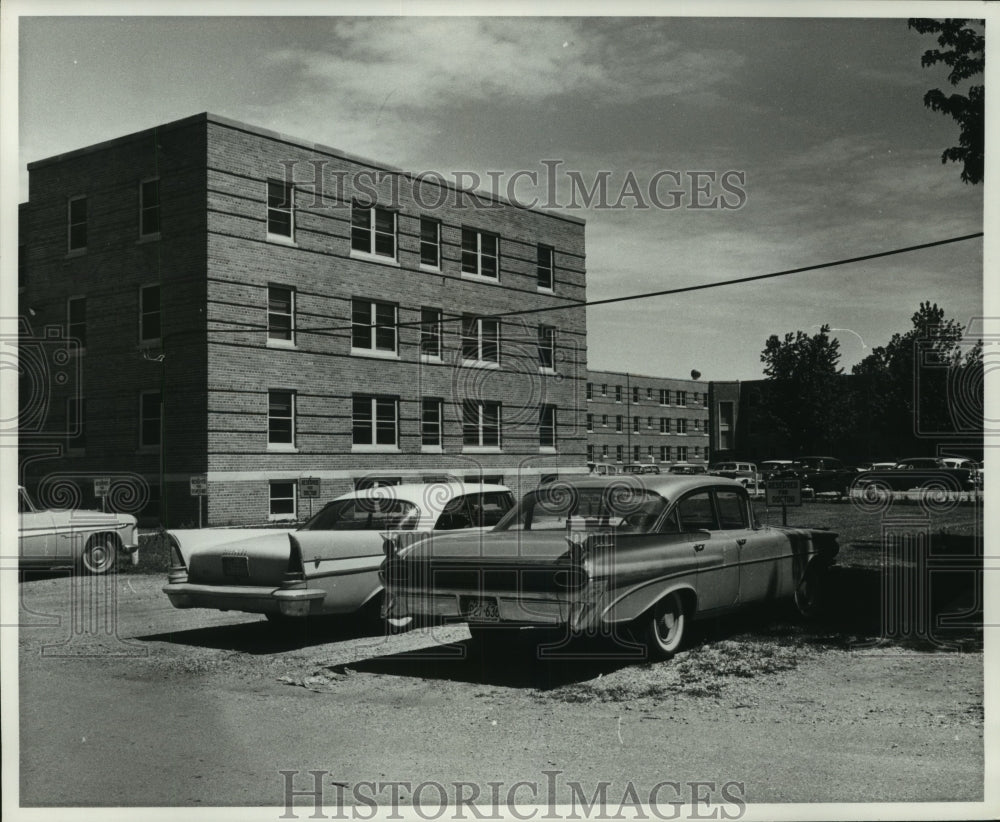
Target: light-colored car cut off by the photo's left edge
90	541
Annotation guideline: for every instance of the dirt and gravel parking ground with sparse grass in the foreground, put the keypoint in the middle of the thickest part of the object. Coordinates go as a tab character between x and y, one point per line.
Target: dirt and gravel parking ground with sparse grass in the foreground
127	701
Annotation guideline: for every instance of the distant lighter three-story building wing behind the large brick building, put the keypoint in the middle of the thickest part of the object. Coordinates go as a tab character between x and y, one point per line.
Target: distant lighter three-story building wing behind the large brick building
643	419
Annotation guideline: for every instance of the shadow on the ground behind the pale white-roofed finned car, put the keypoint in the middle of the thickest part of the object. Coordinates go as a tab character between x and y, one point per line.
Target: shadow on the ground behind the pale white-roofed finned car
263	637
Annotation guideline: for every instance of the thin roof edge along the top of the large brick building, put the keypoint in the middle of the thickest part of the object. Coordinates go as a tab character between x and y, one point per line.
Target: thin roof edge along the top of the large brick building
209	117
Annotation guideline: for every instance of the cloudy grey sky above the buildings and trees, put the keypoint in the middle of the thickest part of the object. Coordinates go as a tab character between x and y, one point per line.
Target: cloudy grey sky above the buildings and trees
824	117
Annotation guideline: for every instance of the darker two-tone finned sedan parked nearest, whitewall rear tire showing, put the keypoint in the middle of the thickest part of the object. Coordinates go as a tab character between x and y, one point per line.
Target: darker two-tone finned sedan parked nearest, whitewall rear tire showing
587	555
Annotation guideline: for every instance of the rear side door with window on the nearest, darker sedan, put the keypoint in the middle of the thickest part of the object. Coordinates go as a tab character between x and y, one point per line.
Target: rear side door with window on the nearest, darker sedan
717	551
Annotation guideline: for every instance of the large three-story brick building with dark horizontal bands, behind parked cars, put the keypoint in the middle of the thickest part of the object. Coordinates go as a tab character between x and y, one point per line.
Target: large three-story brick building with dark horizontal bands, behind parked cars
211	298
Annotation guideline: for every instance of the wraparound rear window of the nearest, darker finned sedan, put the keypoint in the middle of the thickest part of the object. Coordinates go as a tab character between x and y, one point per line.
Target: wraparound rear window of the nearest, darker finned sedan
625	508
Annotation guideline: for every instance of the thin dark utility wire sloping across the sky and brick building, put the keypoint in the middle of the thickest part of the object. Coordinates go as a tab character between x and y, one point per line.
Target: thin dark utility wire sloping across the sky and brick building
332	330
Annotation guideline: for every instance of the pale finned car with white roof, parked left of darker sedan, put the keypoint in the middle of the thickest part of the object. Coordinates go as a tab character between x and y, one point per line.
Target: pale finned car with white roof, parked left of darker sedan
328	566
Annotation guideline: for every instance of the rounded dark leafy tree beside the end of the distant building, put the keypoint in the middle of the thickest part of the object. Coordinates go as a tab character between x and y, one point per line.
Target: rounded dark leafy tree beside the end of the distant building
805	402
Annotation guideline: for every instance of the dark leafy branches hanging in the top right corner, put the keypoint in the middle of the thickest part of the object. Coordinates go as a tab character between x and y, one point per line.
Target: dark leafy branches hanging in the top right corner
965	55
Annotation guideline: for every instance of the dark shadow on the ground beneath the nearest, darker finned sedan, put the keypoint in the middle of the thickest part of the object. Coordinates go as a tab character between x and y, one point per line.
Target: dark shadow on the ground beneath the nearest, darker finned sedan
536	660
